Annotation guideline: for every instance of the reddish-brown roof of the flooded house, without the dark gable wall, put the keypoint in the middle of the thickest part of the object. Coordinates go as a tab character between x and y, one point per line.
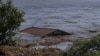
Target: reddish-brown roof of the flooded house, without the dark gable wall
41	31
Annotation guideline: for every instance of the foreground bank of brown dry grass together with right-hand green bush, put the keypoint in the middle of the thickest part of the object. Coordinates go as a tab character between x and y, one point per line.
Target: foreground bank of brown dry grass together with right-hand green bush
83	47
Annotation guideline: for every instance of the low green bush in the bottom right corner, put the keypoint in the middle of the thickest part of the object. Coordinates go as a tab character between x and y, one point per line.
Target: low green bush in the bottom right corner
89	47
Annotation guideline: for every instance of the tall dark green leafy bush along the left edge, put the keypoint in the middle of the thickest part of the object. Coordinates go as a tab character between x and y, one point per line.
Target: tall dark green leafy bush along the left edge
10	20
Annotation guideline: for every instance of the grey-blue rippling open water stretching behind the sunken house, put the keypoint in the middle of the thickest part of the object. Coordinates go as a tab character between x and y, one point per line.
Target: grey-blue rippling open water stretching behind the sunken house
68	15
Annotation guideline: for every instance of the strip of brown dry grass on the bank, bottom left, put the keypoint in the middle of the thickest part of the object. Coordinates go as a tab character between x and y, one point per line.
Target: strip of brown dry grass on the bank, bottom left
20	51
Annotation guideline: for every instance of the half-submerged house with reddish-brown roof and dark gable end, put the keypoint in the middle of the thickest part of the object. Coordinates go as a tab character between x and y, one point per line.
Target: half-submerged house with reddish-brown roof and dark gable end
43	32
